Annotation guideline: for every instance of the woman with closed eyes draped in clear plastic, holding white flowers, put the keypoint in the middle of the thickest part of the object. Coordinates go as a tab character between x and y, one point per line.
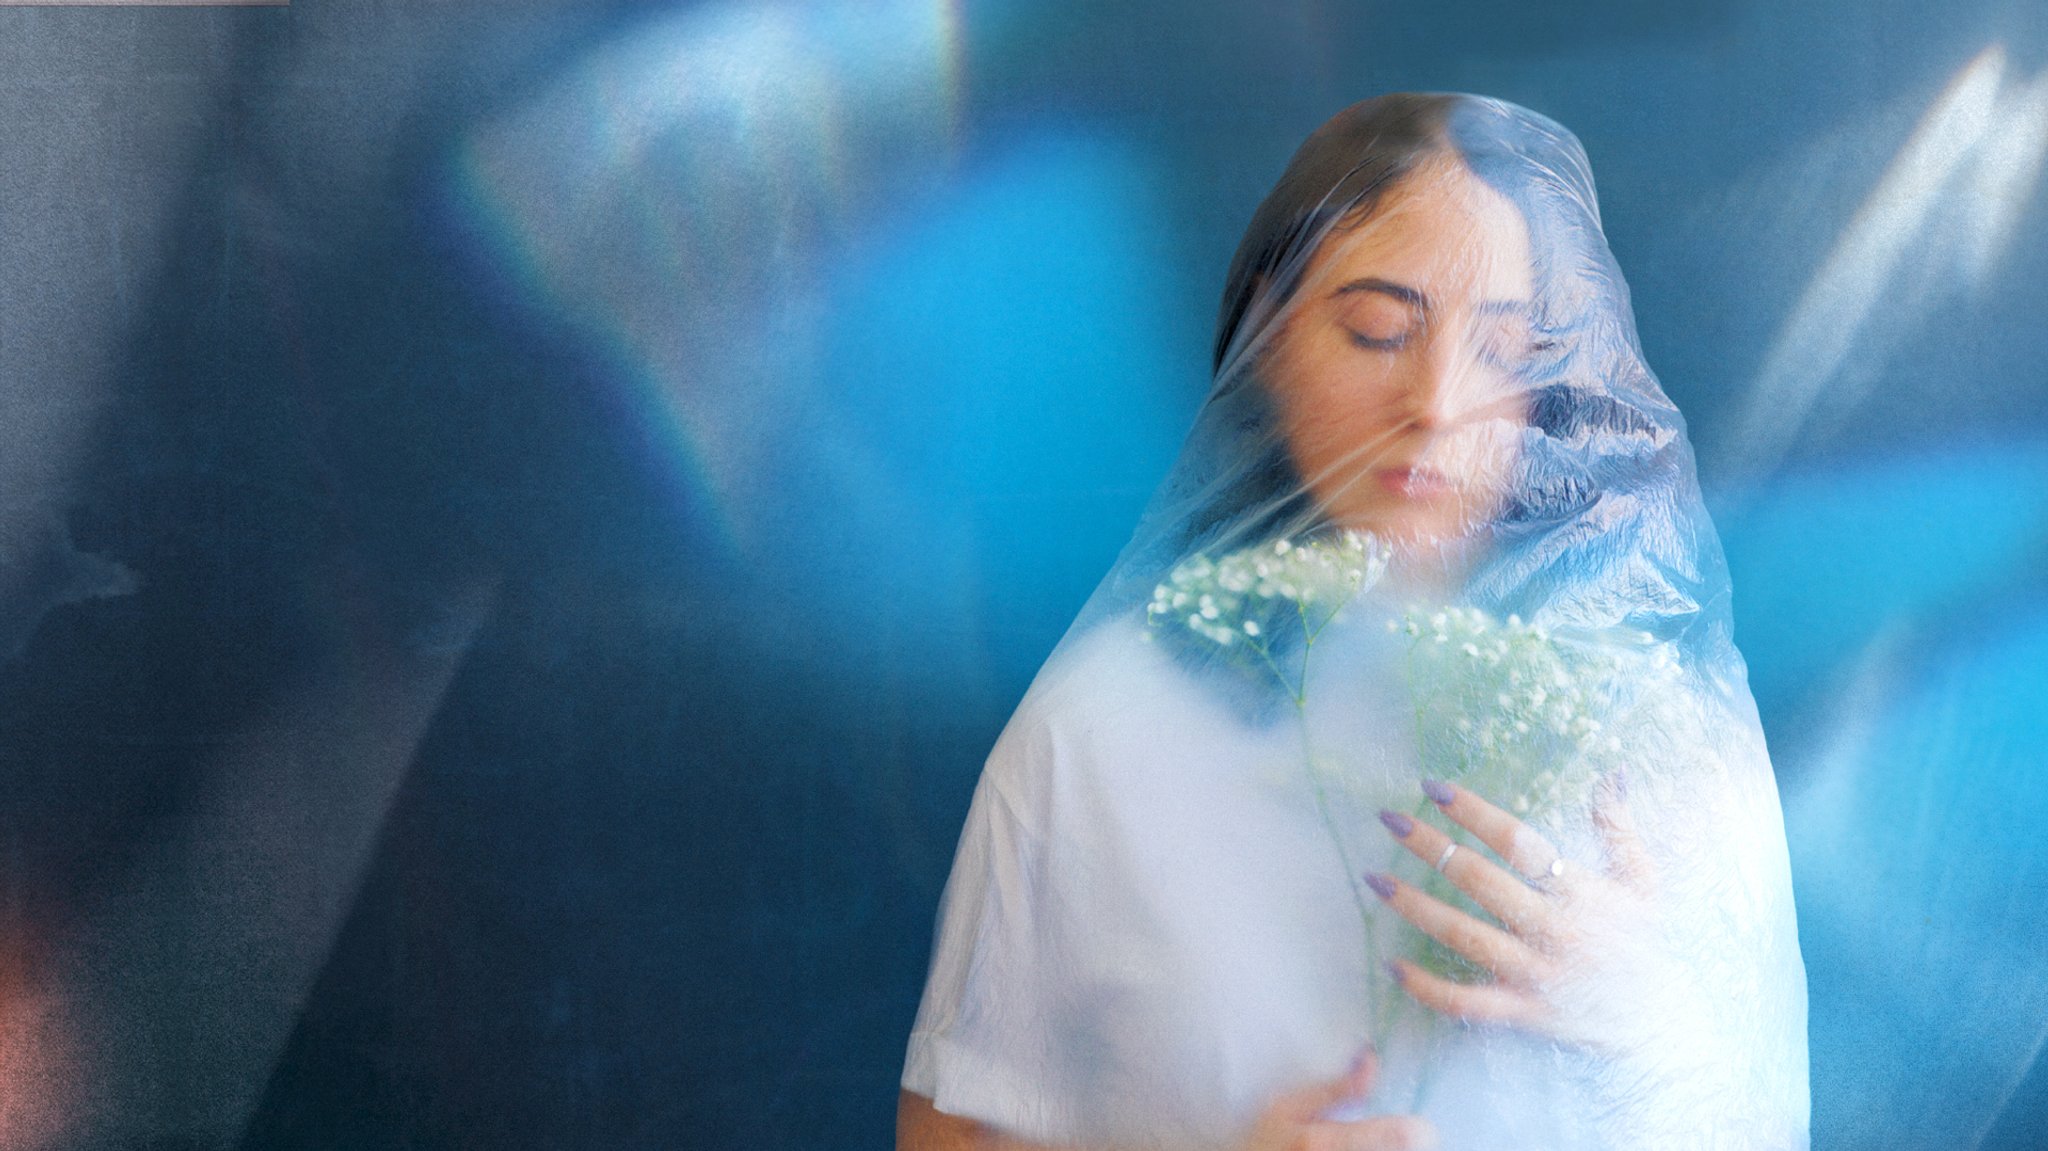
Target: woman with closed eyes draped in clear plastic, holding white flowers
1406	736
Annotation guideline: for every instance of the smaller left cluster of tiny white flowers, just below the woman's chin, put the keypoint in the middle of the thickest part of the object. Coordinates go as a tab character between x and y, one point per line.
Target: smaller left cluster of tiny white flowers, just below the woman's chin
1232	601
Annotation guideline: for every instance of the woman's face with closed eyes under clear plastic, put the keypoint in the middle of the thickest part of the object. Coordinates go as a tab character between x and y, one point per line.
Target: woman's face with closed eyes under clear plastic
1396	374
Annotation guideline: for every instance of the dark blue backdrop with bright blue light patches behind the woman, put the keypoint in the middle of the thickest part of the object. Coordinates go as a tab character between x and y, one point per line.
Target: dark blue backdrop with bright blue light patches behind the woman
519	523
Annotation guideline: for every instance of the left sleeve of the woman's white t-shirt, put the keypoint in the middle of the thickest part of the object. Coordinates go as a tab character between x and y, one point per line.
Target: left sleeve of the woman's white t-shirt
992	1033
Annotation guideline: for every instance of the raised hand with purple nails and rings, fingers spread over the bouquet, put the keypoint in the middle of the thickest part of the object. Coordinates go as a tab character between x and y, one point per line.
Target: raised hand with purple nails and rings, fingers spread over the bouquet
1570	953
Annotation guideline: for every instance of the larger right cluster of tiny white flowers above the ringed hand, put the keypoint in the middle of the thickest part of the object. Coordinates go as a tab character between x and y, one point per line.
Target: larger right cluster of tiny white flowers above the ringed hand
1521	714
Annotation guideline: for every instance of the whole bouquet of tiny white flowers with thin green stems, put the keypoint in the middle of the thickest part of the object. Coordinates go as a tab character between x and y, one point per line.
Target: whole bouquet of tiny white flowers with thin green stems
1514	712
